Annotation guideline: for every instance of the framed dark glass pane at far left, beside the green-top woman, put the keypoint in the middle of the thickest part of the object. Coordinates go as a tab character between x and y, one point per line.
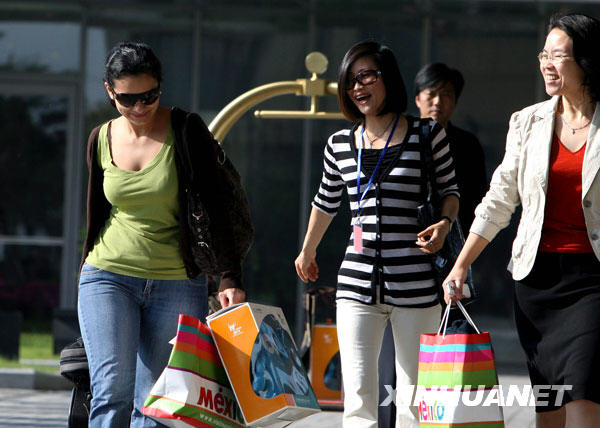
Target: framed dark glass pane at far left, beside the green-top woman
33	133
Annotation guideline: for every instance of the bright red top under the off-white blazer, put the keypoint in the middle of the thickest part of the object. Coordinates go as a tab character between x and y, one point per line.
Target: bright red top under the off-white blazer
564	228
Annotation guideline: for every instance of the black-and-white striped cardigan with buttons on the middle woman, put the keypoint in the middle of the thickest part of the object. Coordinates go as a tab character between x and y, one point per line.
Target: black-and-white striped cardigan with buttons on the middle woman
390	257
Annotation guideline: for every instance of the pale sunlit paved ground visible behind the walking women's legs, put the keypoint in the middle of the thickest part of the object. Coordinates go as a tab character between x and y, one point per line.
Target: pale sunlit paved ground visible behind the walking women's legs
24	408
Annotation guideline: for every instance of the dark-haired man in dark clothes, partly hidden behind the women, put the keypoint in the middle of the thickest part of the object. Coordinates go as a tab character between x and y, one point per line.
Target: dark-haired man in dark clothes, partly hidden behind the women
437	88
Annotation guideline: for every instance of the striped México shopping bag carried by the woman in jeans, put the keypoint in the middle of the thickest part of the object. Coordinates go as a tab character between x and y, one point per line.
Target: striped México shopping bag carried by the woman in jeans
193	390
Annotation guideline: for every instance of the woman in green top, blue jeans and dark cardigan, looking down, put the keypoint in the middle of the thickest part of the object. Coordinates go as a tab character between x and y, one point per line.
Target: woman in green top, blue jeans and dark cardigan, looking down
138	272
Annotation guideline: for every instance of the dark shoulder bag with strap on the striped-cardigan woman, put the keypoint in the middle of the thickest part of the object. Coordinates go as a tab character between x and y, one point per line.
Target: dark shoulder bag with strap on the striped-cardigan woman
429	212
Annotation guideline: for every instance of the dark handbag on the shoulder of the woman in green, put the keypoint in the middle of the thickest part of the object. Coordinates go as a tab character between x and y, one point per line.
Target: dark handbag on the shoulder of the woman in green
218	213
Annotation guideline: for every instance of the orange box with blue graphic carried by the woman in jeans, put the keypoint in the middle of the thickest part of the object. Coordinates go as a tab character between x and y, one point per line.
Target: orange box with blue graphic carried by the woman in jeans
262	363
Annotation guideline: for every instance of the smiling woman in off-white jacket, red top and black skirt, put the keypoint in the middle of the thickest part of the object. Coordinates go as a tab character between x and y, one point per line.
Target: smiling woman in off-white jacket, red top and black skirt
551	168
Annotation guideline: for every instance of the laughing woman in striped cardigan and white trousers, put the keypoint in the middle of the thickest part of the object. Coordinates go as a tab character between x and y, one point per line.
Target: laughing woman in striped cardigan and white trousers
386	272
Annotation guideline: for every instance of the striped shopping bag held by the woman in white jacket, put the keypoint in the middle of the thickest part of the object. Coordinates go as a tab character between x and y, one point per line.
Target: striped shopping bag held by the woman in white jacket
458	382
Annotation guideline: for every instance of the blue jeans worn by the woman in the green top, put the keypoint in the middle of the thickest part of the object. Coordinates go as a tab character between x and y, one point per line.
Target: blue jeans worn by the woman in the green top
126	324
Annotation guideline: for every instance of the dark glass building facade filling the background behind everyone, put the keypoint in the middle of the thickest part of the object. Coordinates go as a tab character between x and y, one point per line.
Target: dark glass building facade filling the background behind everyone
51	64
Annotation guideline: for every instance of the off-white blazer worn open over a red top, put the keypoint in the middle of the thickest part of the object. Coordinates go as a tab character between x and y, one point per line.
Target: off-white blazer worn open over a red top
522	178
